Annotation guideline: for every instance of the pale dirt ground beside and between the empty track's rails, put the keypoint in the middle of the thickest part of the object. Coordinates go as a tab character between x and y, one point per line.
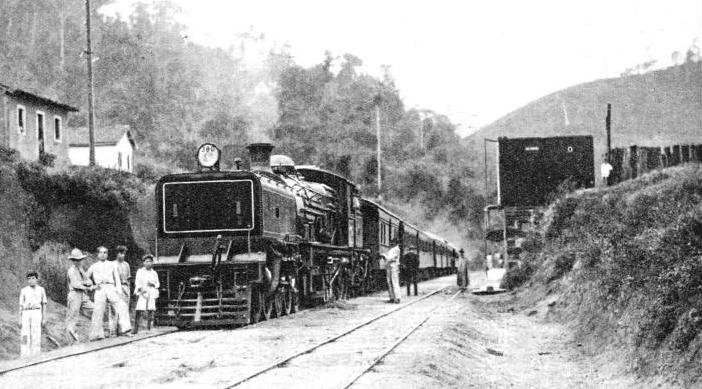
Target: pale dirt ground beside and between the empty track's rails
471	342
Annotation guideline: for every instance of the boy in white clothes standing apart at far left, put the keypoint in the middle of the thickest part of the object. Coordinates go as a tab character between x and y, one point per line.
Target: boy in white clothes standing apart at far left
31	306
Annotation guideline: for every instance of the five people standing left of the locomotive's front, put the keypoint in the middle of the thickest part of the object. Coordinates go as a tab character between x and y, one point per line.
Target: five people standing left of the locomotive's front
109	282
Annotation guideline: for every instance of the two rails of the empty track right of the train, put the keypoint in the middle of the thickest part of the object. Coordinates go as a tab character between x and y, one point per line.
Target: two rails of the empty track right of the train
283	363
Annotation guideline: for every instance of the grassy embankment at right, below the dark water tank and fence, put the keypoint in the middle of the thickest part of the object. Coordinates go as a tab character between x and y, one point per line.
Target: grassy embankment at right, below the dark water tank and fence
623	267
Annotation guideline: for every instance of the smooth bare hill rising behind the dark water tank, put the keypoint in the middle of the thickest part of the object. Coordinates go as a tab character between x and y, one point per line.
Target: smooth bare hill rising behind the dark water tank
659	108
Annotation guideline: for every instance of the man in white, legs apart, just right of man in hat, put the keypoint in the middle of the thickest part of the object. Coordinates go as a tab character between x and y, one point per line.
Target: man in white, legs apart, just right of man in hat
106	279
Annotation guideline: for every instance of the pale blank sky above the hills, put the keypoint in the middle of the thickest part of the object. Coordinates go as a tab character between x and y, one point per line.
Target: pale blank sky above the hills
473	61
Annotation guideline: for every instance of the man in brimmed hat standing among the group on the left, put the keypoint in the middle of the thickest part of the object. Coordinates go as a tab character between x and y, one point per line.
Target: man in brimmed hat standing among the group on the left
78	287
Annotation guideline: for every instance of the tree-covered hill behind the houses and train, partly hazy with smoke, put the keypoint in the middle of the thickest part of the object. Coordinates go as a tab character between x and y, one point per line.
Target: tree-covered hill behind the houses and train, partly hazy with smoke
176	94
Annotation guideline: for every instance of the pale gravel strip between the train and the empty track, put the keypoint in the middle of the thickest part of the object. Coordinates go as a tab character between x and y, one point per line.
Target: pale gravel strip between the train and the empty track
205	358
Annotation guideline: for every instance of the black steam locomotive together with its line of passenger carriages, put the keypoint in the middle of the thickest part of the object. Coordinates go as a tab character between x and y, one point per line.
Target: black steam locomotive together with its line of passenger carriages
237	247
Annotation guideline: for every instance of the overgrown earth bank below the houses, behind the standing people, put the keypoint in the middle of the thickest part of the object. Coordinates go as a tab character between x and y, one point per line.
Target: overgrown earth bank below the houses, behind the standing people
43	215
